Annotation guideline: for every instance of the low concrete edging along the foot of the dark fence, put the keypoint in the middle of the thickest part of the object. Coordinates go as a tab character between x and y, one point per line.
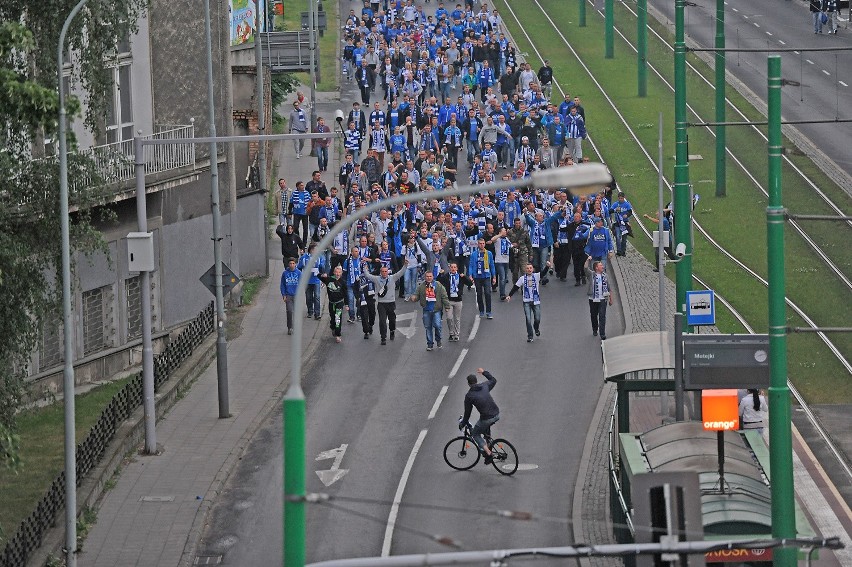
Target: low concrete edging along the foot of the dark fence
127	439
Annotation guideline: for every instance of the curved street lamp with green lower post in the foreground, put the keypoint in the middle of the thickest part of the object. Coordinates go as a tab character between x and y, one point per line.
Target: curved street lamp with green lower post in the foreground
566	177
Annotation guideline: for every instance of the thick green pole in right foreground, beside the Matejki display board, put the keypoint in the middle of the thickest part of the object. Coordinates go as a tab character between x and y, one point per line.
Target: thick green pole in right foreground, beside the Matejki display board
780	435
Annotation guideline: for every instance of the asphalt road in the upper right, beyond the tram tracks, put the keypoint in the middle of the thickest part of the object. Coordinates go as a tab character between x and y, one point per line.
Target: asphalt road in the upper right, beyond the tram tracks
825	92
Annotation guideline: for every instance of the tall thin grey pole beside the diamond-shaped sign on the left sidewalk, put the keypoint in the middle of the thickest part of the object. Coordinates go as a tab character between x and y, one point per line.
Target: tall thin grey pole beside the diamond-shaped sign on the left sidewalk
221	340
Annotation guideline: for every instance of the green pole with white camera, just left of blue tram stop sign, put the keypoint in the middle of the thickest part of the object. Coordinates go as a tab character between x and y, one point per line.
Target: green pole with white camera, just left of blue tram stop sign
682	198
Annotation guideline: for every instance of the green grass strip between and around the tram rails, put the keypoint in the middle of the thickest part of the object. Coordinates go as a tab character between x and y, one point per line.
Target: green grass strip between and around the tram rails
736	221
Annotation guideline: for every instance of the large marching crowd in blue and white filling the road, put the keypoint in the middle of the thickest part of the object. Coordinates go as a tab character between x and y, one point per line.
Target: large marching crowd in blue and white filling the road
417	138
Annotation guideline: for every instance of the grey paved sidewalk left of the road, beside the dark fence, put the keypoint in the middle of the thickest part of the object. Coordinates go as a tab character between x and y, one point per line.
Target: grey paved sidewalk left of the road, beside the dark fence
155	513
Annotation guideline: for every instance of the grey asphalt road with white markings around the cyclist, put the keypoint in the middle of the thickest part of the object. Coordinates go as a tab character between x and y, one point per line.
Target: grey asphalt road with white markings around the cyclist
377	401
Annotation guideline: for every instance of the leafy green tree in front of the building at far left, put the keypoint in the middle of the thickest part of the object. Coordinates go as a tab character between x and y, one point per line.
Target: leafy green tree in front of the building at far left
30	255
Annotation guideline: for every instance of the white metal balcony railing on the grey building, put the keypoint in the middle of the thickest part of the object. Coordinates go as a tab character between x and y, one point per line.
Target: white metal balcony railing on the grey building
115	161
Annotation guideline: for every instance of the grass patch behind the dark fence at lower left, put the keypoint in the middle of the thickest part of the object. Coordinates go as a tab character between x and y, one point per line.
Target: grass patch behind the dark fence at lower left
42	455
